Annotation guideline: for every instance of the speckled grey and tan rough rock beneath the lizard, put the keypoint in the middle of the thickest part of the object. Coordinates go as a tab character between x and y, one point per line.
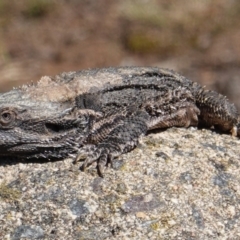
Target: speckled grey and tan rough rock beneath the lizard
177	184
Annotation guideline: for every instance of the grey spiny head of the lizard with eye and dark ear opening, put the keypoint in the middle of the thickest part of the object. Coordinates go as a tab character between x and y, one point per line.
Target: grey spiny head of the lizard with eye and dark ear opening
50	131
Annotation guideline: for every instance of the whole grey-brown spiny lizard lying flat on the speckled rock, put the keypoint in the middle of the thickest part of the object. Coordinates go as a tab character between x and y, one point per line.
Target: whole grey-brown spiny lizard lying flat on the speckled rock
101	113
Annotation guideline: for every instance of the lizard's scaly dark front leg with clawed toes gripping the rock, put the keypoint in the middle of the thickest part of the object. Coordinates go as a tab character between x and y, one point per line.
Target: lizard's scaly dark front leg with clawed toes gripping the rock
123	138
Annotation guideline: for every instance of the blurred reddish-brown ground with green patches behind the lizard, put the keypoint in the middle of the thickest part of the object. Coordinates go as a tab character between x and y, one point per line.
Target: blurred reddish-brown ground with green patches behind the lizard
199	39
